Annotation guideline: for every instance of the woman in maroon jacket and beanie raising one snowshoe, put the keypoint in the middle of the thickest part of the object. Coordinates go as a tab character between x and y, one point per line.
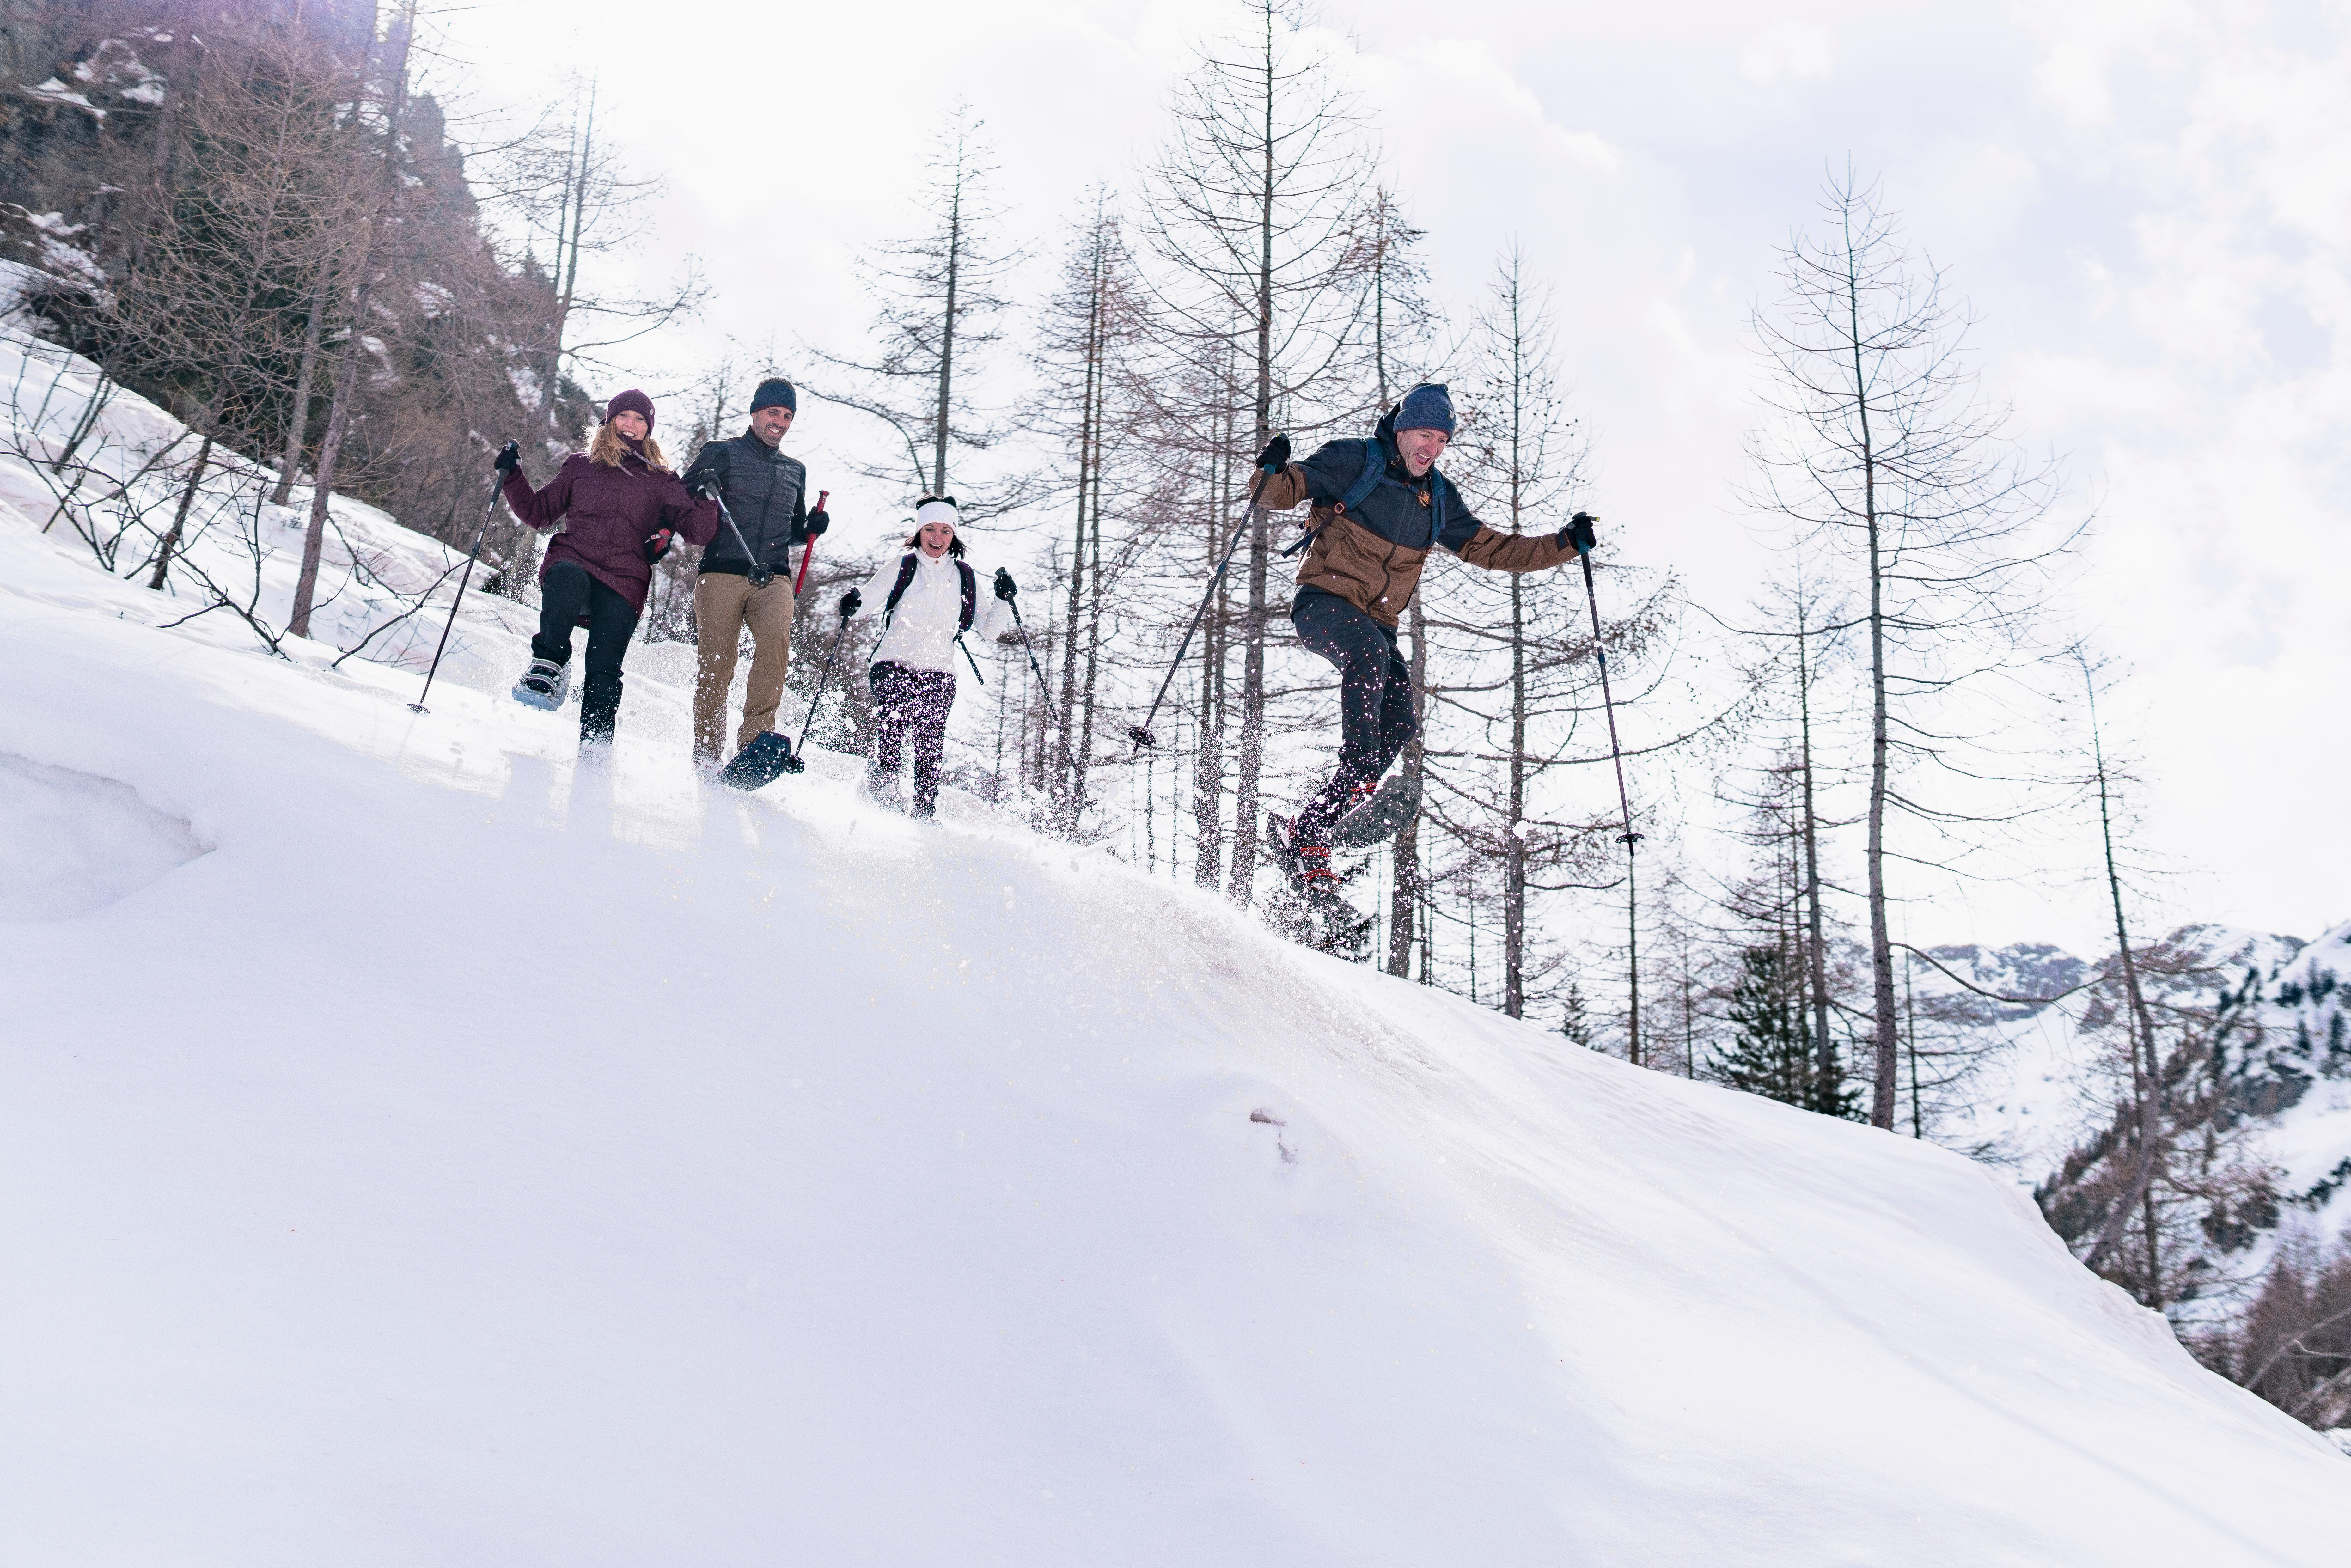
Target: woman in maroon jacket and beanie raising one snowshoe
622	509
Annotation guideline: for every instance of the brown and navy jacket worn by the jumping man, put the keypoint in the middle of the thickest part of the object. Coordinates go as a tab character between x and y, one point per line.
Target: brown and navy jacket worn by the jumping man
1372	556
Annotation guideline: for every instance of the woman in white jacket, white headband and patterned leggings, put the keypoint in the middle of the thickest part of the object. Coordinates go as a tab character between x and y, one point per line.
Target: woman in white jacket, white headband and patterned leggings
930	601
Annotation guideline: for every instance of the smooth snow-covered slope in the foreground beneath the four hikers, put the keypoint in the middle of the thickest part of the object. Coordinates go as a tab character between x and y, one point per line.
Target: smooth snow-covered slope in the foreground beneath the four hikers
424	1148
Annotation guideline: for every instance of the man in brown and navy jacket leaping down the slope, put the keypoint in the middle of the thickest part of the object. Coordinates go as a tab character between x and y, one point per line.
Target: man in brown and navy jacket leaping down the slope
1379	511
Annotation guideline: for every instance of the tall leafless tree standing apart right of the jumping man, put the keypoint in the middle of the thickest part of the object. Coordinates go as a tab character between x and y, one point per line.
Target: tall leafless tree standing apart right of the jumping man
1889	464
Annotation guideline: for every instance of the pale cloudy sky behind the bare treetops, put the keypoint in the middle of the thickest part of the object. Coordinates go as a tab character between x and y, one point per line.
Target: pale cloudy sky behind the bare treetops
2145	203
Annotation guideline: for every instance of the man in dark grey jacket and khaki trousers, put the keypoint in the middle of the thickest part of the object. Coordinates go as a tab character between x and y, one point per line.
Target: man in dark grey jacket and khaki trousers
746	577
